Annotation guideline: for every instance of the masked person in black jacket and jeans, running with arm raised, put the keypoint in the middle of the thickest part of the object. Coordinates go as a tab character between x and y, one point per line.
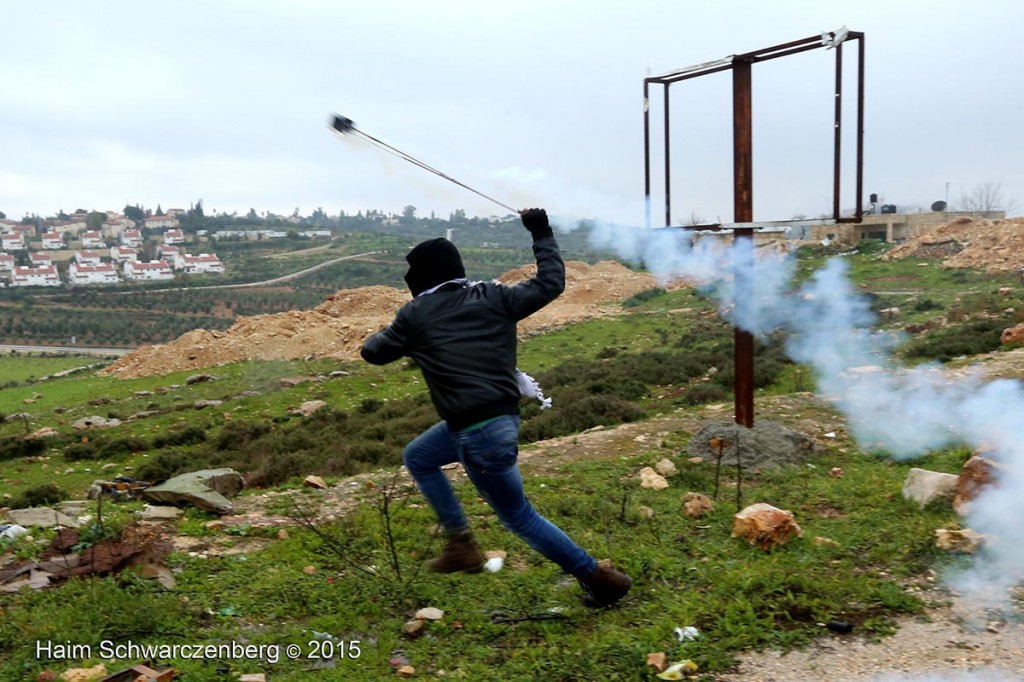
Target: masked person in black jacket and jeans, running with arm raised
463	337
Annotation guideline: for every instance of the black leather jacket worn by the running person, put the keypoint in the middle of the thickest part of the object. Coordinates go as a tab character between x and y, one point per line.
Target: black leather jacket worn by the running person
464	339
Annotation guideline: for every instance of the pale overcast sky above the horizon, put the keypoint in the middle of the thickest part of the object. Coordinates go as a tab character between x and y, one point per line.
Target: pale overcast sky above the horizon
536	104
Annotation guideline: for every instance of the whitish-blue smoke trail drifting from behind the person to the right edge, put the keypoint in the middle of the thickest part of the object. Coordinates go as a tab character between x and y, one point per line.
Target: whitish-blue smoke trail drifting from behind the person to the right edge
904	411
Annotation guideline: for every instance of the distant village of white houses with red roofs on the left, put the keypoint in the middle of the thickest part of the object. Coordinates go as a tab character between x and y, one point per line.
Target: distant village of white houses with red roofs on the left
89	249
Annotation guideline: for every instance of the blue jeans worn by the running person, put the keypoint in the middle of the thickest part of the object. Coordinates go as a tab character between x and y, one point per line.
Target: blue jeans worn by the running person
489	454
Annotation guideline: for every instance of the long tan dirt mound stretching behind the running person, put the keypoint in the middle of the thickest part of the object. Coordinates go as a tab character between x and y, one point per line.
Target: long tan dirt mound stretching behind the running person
338	327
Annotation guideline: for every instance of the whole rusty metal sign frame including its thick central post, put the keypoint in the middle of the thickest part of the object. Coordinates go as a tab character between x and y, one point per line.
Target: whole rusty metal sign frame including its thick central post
744	225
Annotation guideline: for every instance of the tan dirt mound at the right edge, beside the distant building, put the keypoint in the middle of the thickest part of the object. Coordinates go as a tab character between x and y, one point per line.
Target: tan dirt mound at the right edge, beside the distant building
994	246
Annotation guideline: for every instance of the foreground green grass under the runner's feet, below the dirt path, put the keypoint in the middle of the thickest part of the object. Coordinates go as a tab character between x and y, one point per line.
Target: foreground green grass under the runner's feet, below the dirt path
525	623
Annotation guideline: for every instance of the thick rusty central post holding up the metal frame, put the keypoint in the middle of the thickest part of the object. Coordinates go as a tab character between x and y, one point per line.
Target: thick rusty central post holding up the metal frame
743	173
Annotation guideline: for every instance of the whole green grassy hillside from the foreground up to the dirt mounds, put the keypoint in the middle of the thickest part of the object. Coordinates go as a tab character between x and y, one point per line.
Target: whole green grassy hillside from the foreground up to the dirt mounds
355	581
